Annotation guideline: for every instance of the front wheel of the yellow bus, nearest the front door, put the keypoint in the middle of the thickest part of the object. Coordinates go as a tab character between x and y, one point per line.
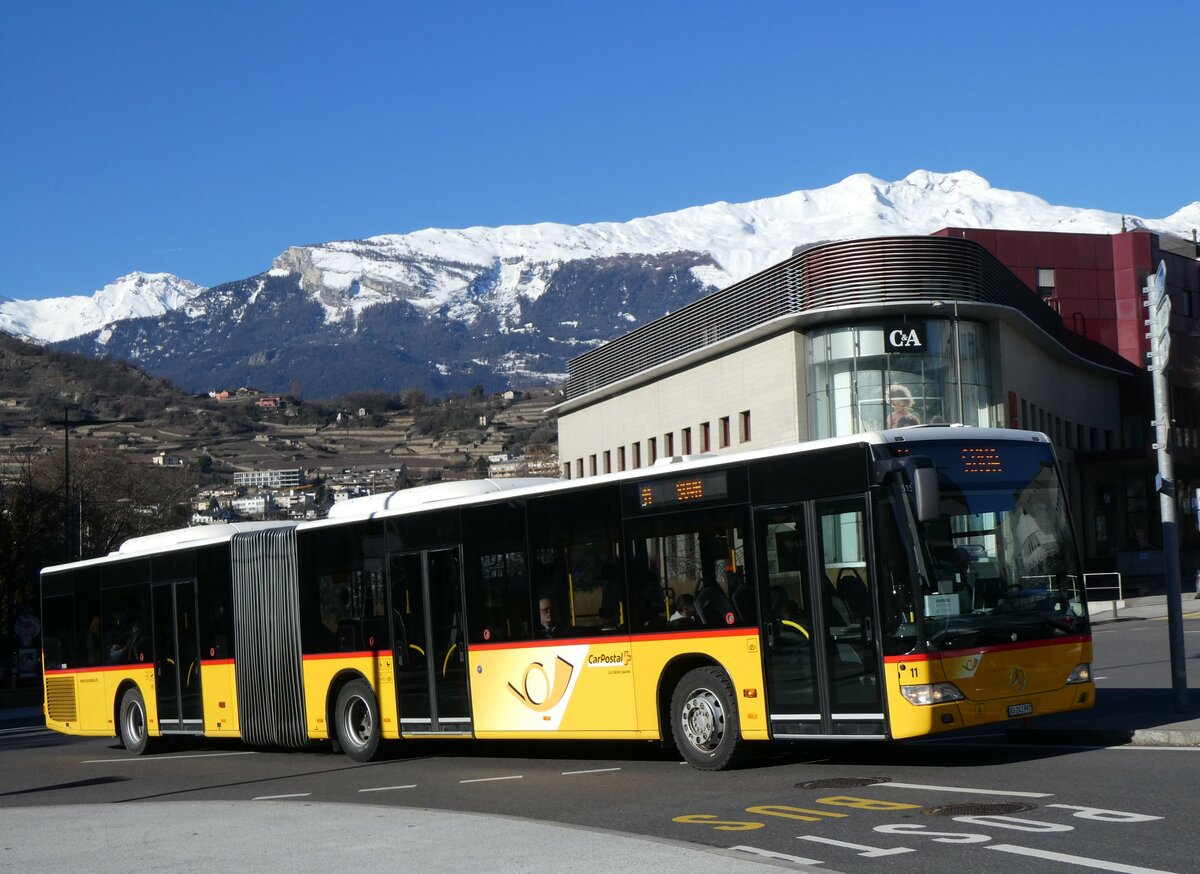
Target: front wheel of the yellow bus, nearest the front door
705	720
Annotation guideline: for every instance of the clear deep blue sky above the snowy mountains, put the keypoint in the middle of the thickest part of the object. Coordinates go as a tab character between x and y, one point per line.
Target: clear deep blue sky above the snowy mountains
203	140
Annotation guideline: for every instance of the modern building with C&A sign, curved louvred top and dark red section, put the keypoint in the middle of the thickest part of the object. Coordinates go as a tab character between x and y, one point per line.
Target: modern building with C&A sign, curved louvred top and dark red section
993	328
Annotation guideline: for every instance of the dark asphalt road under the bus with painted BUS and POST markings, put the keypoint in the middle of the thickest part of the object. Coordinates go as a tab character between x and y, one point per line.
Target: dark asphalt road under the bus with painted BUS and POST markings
980	804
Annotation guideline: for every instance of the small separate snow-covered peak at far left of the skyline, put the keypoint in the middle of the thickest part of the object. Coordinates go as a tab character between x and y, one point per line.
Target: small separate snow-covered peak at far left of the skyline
135	296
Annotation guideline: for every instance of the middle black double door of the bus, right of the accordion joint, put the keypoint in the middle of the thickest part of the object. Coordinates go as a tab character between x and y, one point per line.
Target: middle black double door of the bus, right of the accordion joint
428	643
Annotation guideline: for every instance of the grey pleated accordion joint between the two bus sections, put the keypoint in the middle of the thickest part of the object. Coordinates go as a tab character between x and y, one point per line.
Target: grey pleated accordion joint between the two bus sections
268	656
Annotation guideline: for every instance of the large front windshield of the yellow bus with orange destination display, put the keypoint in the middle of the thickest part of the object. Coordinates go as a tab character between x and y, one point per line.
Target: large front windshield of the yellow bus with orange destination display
1003	553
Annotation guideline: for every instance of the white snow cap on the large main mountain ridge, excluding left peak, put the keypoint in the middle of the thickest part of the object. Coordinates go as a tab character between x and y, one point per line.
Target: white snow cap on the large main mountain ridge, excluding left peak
459	270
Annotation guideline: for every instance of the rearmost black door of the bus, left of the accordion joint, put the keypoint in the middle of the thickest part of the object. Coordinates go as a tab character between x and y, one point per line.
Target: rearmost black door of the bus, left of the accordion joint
177	663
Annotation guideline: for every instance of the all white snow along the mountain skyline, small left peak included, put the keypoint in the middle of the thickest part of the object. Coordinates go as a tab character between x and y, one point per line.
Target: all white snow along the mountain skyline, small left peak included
496	273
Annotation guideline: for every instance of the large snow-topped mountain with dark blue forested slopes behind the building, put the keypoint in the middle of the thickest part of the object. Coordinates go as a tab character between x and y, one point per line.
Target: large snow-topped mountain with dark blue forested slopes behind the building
448	309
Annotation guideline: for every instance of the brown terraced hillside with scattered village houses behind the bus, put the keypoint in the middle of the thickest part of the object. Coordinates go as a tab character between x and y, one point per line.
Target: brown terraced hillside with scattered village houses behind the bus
257	456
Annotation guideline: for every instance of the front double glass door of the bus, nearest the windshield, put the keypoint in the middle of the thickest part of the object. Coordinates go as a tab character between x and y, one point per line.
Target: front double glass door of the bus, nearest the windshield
821	651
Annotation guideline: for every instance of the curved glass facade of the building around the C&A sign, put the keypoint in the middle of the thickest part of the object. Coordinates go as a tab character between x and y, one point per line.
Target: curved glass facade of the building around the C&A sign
856	385
